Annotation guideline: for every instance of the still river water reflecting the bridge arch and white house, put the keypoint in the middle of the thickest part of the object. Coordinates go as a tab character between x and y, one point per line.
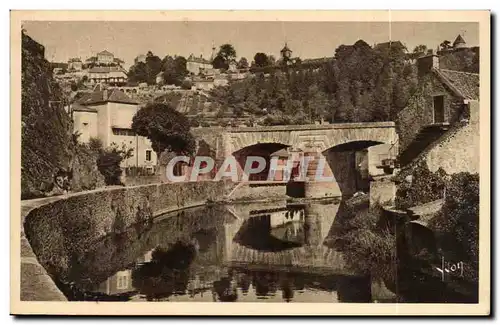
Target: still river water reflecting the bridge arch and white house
272	252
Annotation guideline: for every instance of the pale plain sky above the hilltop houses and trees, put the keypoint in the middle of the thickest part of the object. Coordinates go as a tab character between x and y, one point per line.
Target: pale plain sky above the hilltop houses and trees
126	40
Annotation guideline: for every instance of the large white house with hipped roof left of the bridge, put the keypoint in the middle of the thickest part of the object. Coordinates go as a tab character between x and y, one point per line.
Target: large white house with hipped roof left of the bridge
107	114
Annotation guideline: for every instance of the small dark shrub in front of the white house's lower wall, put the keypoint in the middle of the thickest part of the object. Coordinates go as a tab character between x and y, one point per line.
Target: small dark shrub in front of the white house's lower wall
109	162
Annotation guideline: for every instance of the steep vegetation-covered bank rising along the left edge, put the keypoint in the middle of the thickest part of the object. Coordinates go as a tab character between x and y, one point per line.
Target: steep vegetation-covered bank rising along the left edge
46	129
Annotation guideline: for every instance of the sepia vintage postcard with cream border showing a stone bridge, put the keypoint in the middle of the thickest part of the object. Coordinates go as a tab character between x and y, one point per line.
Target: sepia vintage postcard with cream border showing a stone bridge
250	163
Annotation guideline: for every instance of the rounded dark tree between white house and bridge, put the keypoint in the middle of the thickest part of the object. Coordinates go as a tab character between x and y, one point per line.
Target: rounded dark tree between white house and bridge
166	128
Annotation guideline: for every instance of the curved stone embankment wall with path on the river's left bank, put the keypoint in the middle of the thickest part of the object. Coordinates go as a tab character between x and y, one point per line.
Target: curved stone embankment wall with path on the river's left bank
58	232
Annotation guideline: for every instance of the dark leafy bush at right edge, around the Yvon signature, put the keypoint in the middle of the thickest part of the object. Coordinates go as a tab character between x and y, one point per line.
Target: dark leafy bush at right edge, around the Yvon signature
458	221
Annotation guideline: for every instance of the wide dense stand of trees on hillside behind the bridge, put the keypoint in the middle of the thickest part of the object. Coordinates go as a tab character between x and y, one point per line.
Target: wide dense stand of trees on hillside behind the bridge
362	84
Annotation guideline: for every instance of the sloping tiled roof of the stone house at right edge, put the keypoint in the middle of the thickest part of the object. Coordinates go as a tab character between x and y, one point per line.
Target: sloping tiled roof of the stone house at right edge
464	84
